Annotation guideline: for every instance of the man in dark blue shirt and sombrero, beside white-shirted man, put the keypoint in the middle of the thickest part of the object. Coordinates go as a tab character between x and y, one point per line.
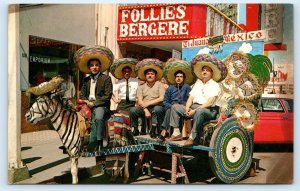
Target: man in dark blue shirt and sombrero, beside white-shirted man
179	74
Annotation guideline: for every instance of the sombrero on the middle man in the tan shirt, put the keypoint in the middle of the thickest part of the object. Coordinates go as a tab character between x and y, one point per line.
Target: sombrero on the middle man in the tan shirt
149	63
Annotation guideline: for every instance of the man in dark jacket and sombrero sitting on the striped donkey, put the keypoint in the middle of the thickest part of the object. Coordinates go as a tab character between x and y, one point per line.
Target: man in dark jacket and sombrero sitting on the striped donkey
96	89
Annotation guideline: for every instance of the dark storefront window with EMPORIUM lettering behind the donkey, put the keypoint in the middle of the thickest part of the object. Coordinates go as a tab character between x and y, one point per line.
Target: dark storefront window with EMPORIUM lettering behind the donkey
49	58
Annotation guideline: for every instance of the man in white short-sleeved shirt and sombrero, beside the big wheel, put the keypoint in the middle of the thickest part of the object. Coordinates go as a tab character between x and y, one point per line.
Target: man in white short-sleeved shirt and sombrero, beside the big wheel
201	102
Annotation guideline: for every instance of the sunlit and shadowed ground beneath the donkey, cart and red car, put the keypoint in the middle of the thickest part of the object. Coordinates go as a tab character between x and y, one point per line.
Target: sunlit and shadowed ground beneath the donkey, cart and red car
48	165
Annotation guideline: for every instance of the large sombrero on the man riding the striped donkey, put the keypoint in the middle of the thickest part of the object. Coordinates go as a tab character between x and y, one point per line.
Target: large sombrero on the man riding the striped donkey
84	54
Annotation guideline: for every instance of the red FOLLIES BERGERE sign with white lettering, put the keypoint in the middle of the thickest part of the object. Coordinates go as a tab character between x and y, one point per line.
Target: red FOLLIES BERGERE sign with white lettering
161	22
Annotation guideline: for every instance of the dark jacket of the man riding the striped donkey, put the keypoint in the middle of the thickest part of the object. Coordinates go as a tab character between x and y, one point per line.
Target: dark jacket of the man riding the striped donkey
103	90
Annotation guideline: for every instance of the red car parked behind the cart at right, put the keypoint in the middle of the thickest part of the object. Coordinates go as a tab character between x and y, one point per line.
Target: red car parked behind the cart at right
276	120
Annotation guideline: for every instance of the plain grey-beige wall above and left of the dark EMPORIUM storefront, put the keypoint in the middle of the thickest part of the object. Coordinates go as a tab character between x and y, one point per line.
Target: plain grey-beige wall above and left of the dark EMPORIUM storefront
68	23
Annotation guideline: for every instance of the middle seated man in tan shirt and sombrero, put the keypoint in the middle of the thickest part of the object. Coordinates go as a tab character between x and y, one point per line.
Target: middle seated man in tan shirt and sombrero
150	95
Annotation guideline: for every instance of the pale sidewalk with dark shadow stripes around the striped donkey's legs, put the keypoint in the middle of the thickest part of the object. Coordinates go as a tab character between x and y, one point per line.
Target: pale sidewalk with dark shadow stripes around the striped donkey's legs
46	162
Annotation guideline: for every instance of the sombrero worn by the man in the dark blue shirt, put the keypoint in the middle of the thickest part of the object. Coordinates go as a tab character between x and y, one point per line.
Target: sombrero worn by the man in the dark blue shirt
174	65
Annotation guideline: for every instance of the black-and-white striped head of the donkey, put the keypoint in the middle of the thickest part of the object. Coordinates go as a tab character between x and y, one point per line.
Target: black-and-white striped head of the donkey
42	108
